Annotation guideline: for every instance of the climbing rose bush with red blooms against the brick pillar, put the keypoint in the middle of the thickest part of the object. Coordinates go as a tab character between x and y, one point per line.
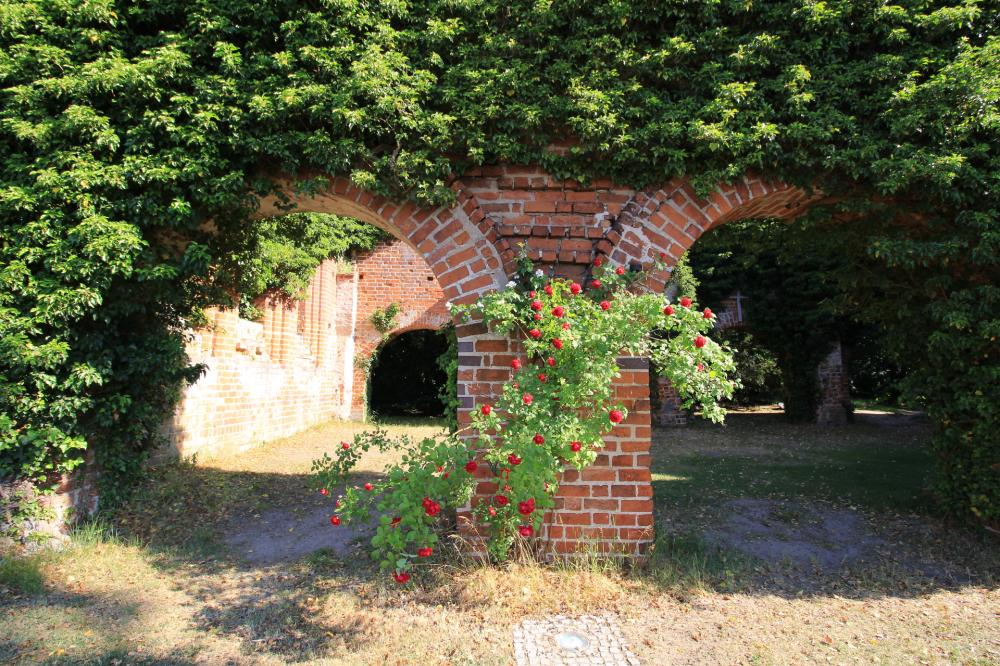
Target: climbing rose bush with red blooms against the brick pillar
552	414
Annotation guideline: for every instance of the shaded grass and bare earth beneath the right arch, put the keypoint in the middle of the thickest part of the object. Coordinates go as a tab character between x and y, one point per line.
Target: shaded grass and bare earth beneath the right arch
810	510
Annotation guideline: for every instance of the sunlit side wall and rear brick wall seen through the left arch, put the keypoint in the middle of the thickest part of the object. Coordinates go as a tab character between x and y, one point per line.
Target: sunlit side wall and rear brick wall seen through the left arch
296	367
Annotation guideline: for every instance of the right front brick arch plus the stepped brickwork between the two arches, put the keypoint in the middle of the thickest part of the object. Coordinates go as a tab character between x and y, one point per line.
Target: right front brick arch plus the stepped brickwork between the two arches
565	225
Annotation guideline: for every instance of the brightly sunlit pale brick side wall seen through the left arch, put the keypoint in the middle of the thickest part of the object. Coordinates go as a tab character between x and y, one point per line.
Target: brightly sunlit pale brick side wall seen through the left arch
267	379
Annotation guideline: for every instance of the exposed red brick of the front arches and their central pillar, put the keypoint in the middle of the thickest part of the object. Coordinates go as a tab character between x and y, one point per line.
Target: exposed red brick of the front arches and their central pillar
472	247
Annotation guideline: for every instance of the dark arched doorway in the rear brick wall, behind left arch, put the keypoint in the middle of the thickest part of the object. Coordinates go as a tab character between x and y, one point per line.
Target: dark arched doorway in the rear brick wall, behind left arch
406	379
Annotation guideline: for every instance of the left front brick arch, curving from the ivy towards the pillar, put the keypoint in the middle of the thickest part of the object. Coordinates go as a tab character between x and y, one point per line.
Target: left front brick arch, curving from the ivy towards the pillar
456	241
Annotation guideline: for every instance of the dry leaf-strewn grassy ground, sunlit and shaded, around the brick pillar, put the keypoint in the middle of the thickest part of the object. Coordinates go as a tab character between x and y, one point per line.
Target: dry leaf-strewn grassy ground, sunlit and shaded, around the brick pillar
776	544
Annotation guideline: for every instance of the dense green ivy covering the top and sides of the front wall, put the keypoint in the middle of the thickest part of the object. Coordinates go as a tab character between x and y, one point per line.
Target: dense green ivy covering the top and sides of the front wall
126	126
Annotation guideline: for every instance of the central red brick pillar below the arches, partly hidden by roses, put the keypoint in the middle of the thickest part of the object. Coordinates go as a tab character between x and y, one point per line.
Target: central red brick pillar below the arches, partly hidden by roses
607	507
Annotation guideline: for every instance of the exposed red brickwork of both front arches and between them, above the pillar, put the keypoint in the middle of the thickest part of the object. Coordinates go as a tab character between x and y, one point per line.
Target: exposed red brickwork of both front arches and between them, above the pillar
472	245
